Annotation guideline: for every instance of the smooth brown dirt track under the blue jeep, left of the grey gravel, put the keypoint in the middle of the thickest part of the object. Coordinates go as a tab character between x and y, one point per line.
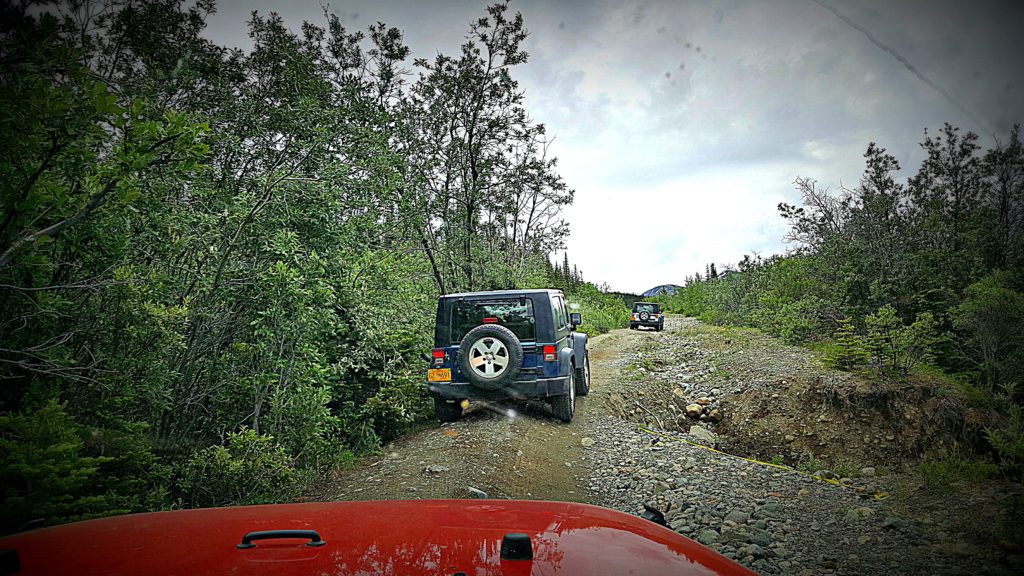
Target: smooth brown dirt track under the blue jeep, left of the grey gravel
508	450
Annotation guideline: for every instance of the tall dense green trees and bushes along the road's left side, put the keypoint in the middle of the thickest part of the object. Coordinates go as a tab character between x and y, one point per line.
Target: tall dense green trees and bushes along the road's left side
219	268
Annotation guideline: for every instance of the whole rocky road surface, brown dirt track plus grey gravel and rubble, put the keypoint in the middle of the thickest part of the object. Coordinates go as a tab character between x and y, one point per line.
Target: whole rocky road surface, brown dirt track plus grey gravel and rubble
772	520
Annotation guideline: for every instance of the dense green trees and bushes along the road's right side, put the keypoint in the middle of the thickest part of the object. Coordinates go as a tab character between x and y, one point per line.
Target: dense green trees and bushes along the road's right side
891	276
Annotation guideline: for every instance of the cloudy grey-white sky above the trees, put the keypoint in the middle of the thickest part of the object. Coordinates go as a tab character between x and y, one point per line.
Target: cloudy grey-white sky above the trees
682	126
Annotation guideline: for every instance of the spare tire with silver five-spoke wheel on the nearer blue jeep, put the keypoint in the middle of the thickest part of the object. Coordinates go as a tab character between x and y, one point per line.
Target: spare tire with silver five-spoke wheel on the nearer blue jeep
490	357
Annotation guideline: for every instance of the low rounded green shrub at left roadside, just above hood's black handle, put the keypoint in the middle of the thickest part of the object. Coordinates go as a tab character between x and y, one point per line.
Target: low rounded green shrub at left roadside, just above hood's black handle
252	469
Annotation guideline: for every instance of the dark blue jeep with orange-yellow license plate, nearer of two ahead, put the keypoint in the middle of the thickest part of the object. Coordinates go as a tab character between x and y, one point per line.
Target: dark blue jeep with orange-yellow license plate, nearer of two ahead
509	344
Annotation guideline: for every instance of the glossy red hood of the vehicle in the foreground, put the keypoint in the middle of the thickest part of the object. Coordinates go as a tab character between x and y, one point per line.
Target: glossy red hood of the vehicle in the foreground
376	538
